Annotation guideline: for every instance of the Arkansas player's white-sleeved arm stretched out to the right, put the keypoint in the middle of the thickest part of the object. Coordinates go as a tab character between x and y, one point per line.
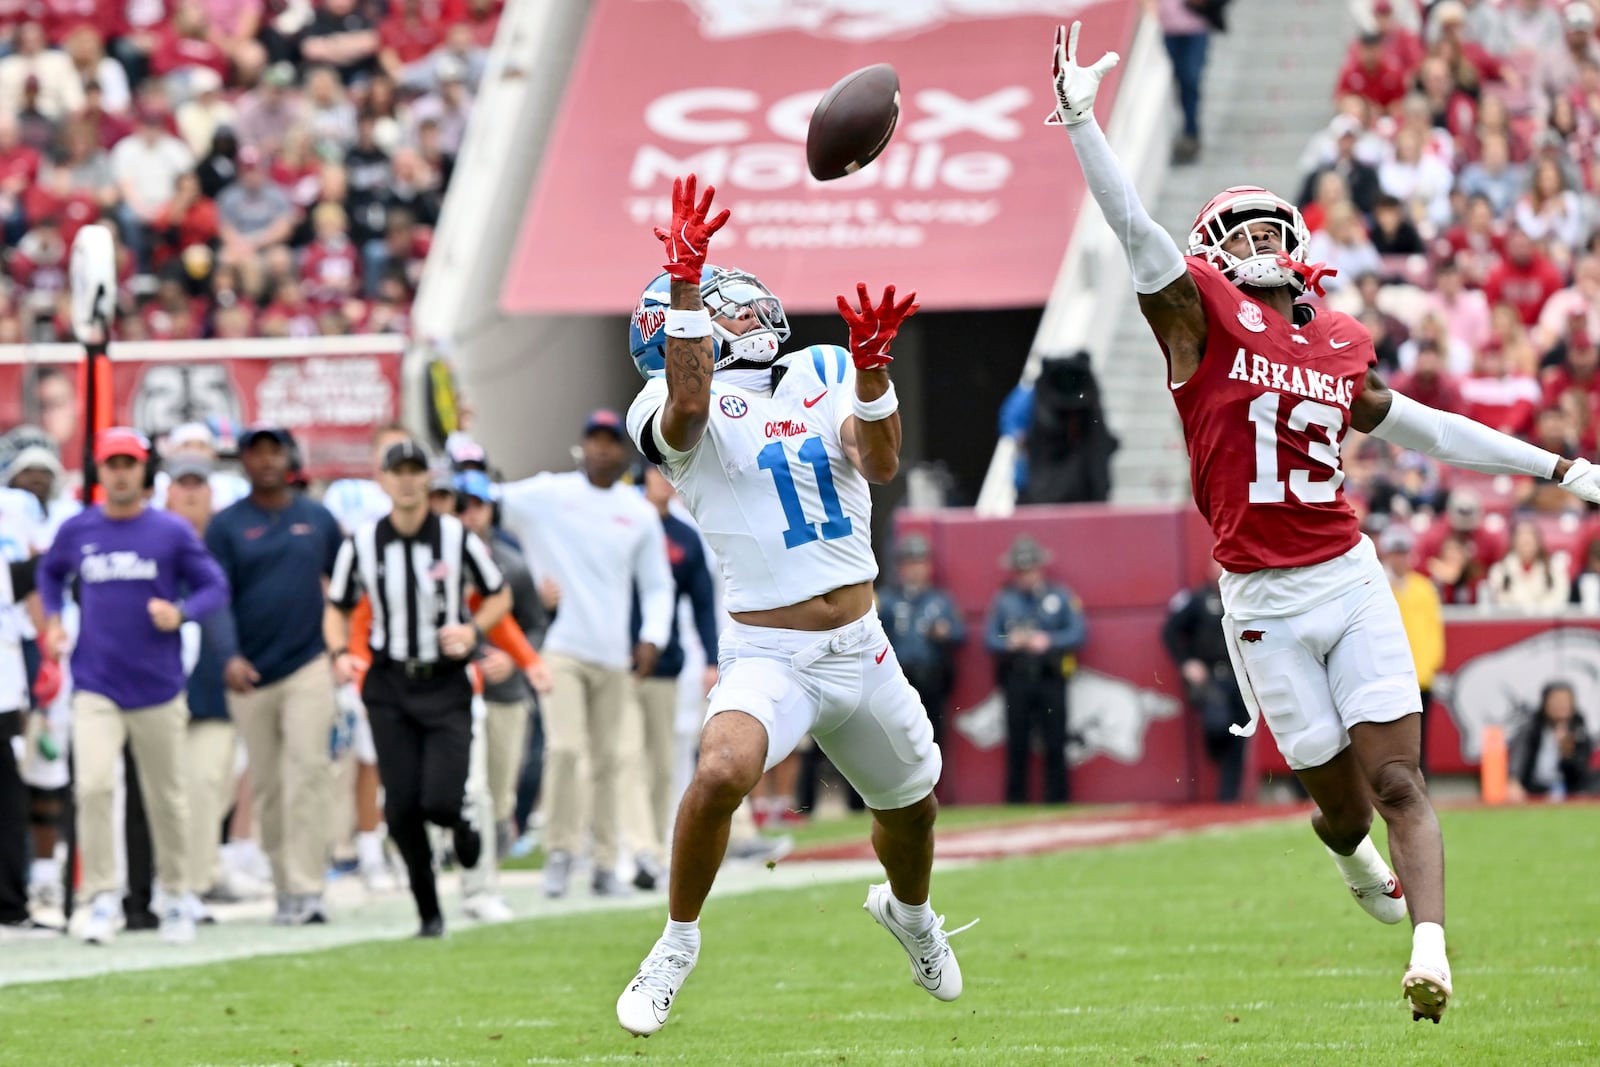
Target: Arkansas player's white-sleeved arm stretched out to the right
1462	442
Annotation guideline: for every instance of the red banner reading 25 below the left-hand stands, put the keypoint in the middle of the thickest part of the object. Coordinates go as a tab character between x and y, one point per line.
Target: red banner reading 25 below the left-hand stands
327	393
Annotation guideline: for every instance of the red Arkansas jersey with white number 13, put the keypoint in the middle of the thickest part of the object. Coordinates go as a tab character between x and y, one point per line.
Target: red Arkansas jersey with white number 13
1265	418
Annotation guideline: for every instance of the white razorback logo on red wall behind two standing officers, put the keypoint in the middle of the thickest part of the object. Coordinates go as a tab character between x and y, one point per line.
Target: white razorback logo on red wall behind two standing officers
1110	717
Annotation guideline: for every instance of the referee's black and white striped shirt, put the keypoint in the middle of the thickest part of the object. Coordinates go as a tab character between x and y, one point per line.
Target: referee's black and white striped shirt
417	585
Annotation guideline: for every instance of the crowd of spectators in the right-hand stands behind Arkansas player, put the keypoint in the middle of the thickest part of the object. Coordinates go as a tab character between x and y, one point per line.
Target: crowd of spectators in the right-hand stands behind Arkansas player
1457	190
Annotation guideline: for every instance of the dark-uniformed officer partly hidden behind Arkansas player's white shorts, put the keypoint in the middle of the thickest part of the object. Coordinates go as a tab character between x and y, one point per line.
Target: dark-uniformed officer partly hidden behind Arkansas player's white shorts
1194	639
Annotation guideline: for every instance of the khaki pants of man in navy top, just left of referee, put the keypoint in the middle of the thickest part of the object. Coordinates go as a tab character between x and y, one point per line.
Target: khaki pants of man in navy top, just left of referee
287	727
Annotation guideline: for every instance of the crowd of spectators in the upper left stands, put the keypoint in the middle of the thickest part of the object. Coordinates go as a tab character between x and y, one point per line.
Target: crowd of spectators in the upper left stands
270	167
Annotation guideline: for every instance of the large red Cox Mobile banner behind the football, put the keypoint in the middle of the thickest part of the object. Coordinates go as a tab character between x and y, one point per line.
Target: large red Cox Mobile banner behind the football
970	206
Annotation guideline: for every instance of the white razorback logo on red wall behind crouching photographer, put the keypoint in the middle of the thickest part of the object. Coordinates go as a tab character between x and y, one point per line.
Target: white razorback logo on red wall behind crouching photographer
1498	689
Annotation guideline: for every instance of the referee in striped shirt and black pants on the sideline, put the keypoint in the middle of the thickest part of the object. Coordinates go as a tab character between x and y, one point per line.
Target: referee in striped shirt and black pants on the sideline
415	567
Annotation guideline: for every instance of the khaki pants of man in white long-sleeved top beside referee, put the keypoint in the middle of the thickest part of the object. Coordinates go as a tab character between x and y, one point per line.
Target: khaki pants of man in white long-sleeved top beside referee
583	722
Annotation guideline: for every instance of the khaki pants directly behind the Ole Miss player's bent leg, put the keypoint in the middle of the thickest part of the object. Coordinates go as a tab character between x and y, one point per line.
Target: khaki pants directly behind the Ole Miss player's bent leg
646	778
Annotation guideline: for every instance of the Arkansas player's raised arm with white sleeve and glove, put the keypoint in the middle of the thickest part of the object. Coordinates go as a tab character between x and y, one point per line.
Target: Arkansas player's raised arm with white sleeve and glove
1167	295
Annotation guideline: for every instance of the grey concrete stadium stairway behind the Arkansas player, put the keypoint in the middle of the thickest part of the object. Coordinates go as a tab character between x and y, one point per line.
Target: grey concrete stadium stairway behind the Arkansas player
1268	87
